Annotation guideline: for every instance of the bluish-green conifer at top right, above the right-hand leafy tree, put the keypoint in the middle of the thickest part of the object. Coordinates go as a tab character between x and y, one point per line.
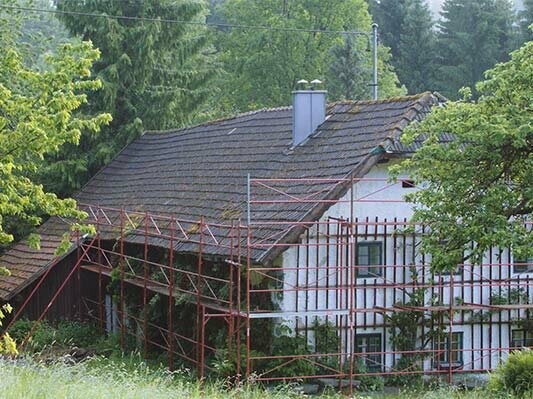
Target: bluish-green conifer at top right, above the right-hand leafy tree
473	36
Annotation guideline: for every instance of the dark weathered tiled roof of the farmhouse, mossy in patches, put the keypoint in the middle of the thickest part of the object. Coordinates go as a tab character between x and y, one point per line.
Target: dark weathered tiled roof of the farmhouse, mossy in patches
202	171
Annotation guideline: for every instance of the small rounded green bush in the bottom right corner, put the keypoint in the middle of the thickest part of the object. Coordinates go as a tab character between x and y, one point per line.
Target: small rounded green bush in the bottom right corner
514	375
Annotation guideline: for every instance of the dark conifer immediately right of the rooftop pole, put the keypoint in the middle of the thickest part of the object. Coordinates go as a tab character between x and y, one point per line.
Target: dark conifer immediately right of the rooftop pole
406	26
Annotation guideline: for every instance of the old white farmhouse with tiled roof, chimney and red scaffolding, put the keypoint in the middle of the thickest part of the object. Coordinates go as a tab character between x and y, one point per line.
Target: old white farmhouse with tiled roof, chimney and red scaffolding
277	235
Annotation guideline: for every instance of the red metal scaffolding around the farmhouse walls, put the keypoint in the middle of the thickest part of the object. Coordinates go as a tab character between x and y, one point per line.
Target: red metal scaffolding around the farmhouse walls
351	293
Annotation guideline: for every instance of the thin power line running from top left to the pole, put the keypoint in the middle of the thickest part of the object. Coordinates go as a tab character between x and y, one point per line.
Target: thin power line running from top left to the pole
176	21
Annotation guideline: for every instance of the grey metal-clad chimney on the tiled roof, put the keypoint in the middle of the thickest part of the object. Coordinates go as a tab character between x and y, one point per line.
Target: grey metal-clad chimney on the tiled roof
308	111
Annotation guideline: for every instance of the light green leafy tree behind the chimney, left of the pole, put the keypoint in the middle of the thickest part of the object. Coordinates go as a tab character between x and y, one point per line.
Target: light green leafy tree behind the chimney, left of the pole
264	65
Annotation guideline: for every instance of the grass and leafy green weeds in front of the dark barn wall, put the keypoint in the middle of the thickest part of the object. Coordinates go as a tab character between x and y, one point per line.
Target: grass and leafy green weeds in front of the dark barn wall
51	368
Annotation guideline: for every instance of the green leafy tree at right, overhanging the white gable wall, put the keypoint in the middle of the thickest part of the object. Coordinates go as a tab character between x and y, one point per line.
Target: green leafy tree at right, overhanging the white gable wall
477	186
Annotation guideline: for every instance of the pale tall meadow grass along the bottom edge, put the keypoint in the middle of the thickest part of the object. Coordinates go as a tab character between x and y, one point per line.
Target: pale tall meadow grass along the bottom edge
127	377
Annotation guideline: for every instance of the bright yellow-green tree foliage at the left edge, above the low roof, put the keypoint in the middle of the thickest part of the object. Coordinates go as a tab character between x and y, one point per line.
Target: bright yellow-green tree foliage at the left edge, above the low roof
37	117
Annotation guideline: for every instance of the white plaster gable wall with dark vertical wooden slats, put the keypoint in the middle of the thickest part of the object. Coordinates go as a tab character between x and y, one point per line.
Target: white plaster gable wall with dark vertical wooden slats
313	272
